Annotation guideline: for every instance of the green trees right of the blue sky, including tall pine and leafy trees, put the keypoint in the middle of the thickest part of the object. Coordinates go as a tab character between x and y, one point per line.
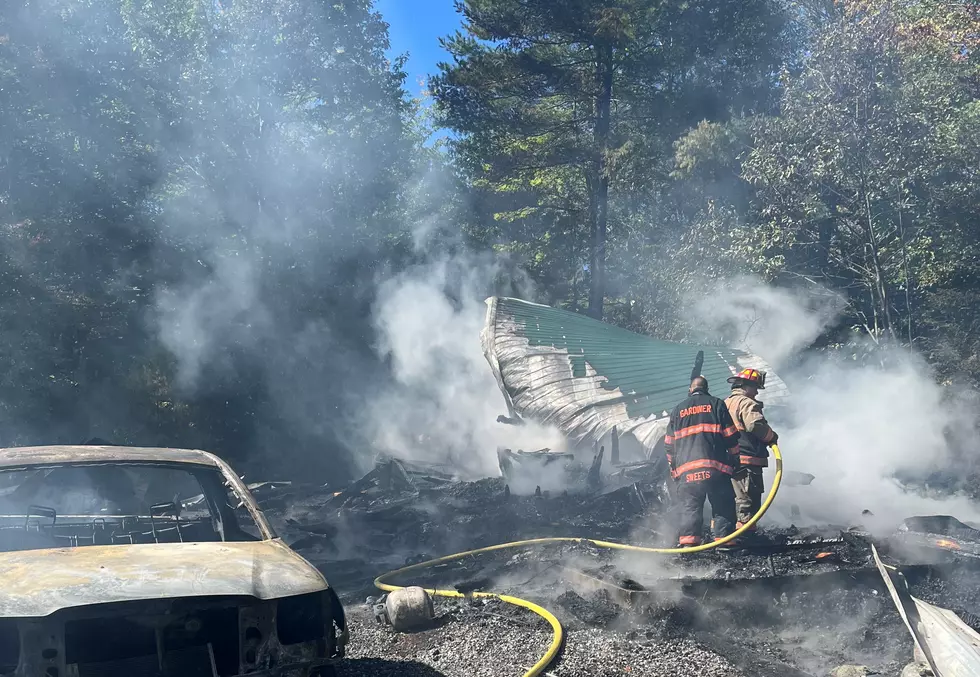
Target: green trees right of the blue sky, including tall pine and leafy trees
853	168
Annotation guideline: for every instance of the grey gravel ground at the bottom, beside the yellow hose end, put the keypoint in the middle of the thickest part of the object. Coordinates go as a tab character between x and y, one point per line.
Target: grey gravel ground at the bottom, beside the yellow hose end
496	640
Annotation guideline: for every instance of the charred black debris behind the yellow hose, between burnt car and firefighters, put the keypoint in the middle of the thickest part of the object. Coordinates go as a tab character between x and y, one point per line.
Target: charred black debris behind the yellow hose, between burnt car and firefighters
404	512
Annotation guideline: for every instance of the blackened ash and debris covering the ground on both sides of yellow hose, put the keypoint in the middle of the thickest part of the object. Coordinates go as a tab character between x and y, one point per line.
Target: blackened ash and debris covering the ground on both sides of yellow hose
801	602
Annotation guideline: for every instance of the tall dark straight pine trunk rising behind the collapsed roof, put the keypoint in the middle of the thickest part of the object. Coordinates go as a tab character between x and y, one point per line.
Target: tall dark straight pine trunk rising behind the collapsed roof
604	77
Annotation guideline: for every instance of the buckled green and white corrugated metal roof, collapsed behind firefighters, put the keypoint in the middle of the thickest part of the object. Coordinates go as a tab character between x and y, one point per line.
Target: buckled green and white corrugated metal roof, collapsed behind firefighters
585	377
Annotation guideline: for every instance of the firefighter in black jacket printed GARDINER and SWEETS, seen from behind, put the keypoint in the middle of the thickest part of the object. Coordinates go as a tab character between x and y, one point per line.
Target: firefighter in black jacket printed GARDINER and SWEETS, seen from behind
701	446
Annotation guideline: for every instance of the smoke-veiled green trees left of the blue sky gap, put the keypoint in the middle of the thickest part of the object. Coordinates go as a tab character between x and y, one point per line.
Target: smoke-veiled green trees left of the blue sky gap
149	148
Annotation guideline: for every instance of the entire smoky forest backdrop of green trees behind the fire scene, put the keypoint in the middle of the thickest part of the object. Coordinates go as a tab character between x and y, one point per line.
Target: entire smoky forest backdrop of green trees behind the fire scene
221	221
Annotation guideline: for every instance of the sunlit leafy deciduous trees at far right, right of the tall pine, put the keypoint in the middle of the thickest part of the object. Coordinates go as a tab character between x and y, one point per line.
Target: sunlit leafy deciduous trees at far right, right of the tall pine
865	179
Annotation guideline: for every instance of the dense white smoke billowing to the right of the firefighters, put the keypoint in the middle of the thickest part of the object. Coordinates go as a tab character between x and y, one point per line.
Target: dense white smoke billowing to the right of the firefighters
855	425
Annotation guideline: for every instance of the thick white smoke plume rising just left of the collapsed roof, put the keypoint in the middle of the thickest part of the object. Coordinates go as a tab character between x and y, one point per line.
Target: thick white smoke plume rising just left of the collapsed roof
444	404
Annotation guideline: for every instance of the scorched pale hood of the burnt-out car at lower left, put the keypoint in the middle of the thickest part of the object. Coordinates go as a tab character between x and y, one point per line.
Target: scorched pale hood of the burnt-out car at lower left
36	583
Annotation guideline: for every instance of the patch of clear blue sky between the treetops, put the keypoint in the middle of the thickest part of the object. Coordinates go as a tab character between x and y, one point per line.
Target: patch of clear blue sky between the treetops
416	26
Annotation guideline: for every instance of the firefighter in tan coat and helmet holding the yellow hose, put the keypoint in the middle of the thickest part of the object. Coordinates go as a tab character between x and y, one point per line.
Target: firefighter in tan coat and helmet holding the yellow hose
755	437
